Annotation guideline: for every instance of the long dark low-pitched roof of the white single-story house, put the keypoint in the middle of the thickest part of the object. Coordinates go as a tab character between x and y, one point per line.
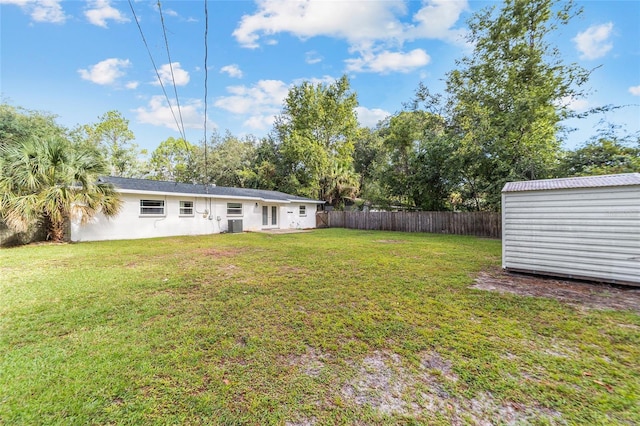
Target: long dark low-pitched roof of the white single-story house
213	191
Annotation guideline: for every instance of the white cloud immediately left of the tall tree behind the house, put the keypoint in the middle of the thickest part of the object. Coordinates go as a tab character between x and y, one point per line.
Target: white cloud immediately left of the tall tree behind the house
262	101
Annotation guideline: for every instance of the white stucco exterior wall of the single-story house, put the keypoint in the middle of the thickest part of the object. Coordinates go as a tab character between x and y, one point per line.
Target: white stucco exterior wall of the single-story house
210	217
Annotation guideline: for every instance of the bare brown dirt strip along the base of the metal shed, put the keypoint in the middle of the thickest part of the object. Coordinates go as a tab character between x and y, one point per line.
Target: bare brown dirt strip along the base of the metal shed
578	293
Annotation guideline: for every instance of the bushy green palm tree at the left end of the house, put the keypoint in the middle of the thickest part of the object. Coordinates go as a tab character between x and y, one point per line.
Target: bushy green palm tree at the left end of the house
50	181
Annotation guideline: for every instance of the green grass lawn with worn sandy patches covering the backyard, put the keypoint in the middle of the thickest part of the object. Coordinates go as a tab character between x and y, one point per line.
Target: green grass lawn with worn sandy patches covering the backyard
327	327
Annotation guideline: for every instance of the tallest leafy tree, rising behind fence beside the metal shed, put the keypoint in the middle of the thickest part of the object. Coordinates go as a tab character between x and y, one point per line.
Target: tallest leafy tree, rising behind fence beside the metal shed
506	98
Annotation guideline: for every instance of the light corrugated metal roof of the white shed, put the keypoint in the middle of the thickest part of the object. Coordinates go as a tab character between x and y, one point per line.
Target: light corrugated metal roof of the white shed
624	179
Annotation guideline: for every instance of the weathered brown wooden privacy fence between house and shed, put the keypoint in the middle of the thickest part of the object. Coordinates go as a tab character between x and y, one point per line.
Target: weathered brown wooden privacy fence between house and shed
482	224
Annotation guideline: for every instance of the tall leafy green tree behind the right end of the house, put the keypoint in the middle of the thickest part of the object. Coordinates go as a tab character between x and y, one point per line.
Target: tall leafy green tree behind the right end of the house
316	132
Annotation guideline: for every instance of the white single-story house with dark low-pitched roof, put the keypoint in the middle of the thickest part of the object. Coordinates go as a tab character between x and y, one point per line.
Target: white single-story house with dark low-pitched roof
160	209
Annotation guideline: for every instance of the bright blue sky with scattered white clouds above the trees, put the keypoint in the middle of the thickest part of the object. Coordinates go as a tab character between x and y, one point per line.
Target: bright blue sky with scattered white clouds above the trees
80	59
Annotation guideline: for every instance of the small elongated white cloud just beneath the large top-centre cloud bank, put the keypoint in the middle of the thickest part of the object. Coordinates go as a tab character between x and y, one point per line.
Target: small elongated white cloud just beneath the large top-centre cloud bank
385	62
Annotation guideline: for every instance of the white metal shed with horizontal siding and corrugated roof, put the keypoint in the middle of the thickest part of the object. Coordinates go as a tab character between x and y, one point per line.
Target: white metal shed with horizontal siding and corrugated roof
583	227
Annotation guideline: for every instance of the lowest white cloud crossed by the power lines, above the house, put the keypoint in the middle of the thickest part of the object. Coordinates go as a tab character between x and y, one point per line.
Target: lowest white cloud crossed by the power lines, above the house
158	113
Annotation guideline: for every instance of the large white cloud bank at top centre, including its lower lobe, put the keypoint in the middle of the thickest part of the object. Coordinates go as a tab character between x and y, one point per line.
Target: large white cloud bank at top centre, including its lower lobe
376	30
